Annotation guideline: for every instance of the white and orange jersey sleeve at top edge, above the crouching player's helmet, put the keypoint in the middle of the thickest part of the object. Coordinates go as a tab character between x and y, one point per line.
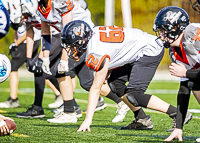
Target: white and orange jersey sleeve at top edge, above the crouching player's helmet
63	6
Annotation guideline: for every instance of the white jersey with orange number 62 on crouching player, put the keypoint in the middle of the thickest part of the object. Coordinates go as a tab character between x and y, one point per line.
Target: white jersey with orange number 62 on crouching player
120	45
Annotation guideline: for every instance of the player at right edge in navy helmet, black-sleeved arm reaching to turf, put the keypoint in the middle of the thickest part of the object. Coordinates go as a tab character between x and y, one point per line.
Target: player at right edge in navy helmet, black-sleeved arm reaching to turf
173	27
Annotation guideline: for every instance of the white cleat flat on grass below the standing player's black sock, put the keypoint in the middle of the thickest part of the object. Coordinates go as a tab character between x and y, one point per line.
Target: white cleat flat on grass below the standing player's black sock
64	118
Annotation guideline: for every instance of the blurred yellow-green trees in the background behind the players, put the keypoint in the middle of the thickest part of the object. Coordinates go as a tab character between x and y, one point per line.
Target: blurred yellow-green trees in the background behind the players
143	14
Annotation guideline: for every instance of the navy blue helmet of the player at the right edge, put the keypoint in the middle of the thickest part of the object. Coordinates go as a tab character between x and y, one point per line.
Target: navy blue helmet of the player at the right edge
172	20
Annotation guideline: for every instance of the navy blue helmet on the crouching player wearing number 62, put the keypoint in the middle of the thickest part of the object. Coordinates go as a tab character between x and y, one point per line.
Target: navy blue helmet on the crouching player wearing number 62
75	36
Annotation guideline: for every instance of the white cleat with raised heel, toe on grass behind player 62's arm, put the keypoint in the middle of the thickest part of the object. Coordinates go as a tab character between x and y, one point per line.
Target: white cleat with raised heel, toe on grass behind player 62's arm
122	110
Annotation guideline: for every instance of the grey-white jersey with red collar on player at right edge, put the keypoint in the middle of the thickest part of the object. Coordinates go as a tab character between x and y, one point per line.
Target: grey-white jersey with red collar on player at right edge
189	51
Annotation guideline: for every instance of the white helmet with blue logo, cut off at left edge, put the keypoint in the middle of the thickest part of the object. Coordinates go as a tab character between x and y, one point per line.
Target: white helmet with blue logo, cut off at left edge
5	67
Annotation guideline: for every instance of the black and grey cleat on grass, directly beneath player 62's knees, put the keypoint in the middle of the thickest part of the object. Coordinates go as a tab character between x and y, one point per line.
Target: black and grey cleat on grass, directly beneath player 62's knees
139	124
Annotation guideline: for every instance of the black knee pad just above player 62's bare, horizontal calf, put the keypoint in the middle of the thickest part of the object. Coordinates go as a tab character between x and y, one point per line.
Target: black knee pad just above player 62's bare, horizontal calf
138	98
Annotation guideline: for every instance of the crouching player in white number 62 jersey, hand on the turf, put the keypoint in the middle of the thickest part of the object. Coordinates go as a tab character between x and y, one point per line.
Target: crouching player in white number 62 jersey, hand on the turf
117	52
